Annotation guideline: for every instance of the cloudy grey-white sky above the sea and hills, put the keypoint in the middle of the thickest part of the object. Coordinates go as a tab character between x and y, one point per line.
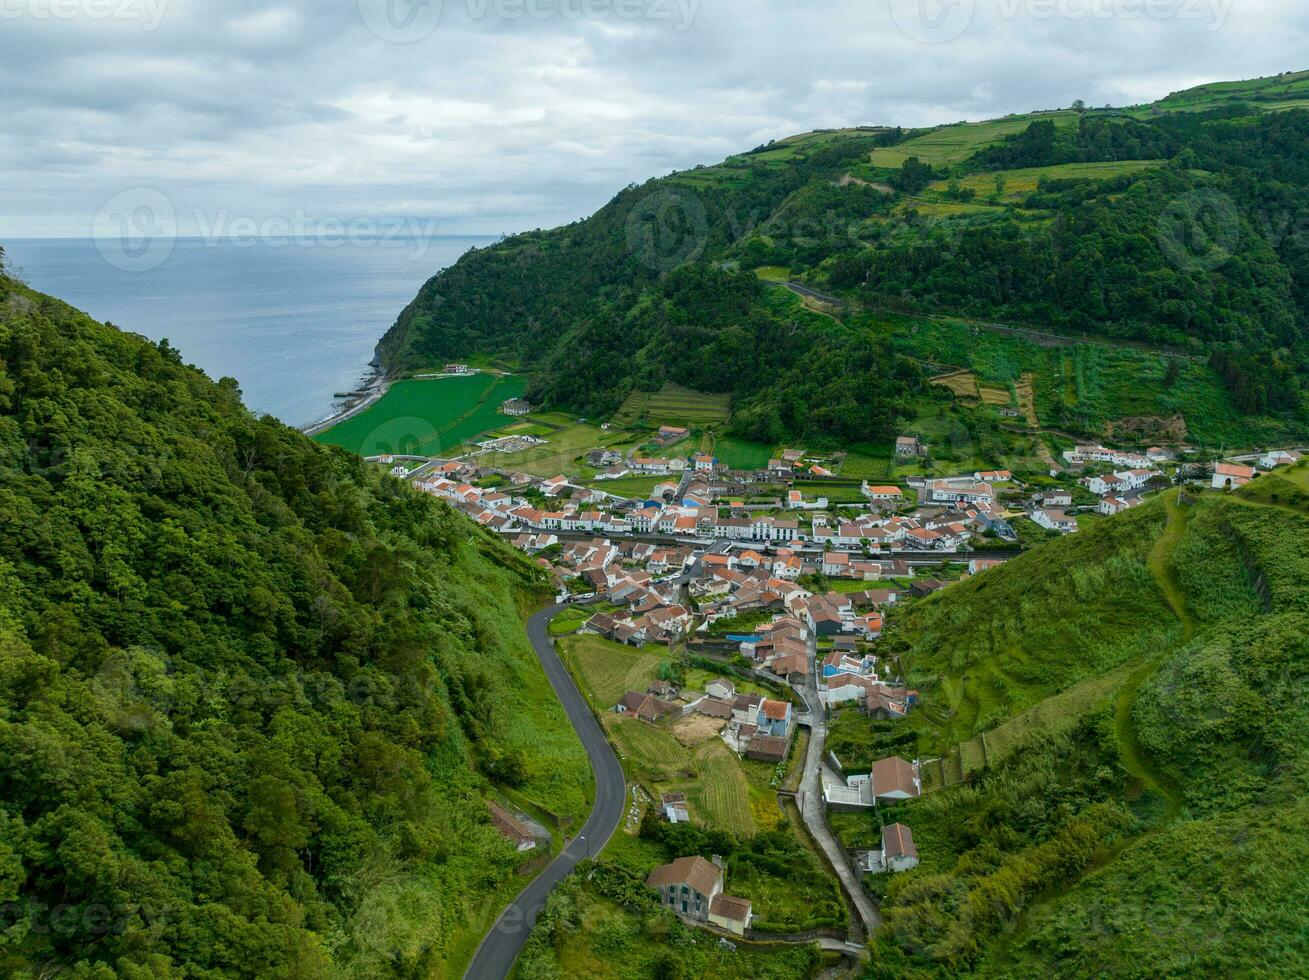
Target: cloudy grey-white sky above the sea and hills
497	116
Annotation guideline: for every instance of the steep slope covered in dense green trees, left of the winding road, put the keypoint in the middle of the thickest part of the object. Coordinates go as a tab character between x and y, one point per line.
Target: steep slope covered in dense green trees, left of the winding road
252	693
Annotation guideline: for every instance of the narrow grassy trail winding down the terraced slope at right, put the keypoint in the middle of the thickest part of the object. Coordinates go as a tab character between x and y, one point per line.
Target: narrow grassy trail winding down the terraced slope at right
1136	761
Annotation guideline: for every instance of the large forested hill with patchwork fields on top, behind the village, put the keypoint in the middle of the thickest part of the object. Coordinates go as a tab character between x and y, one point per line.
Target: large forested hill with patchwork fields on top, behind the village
1166	228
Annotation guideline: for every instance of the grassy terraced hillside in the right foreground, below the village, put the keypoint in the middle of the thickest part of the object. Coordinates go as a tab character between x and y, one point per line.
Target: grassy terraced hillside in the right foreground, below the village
1128	710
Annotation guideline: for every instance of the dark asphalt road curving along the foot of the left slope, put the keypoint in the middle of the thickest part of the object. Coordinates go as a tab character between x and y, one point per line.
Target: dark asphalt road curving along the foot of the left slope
502	945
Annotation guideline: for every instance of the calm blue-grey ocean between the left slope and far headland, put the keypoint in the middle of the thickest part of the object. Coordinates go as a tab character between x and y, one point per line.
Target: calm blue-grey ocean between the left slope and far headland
293	323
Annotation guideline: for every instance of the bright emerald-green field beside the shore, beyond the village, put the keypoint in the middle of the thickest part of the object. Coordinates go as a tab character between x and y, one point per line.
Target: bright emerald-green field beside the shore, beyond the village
427	418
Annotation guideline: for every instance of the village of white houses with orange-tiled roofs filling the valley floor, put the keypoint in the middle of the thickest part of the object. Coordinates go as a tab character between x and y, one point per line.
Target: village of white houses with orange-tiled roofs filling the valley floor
789	592
